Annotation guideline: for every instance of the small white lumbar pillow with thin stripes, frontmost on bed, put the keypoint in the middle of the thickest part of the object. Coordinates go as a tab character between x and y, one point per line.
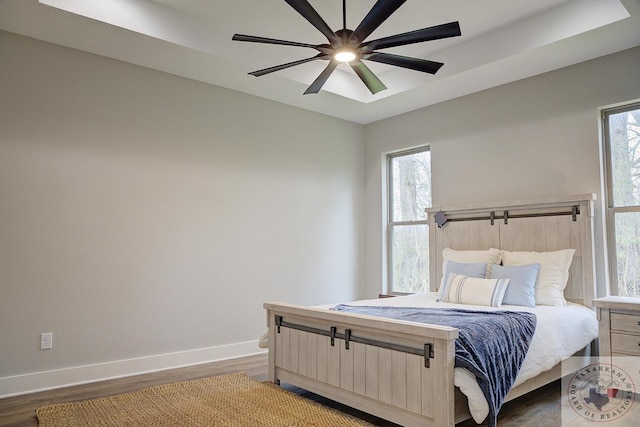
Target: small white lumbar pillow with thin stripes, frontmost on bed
461	289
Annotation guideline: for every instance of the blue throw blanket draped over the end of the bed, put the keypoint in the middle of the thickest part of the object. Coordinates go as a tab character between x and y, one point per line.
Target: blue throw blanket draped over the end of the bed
492	344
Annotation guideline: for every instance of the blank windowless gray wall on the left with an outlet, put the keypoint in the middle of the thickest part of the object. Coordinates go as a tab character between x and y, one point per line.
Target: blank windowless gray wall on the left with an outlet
146	214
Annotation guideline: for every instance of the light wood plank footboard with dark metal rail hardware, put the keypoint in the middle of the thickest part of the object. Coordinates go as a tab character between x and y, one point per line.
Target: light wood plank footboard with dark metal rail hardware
399	371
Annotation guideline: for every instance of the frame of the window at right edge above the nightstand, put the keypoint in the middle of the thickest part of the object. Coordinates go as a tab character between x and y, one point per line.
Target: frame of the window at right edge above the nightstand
611	209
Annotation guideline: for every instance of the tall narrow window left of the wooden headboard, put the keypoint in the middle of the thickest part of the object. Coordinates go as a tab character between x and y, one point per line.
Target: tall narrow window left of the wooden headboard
409	193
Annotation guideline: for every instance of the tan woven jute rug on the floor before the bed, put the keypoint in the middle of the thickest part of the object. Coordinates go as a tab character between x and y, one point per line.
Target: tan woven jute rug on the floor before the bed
227	400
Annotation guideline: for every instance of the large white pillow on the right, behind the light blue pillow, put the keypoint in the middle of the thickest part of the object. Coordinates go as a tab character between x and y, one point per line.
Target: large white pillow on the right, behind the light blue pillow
553	274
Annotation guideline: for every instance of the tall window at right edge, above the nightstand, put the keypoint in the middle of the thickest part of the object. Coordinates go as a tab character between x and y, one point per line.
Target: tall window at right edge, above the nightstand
622	154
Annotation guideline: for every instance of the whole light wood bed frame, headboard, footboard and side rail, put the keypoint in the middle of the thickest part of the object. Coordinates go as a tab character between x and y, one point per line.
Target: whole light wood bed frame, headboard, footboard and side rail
403	371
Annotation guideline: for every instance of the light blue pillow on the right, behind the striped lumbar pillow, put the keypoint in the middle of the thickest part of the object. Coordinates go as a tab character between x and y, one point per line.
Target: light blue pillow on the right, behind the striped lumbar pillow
522	283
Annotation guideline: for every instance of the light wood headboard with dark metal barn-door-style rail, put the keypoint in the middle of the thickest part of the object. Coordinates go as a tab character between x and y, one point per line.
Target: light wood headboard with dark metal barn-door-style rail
539	225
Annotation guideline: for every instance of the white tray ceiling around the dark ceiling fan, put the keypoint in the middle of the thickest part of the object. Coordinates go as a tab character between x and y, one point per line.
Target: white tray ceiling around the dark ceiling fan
502	41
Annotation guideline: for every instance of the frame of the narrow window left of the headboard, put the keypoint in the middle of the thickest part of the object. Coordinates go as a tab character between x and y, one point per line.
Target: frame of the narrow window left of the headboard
391	224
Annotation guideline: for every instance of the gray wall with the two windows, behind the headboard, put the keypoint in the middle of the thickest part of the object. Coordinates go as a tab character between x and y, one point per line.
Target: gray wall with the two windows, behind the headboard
537	137
